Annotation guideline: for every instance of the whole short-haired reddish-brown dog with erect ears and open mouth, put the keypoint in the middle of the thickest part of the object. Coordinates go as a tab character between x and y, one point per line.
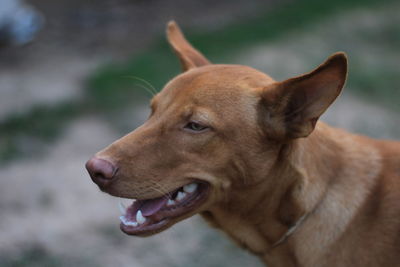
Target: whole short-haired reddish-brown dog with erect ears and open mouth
247	153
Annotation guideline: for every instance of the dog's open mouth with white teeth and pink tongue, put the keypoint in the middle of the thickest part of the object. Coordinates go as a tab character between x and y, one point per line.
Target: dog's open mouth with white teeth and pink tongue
150	216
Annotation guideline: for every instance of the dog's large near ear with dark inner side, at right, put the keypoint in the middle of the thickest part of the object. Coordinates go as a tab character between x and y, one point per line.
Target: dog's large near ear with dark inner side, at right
295	105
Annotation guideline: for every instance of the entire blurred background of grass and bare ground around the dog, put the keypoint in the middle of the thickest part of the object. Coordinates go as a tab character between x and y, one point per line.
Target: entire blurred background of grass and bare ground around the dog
66	91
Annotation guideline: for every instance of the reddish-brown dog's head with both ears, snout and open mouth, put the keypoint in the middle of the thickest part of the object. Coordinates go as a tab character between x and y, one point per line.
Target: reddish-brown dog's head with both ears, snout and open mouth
212	131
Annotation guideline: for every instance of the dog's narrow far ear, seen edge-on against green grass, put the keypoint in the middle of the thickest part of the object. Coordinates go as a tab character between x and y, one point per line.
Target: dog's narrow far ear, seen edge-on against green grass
188	55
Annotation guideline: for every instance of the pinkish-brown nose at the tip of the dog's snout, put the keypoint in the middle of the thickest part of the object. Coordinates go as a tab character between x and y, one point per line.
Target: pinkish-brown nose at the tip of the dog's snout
101	171
